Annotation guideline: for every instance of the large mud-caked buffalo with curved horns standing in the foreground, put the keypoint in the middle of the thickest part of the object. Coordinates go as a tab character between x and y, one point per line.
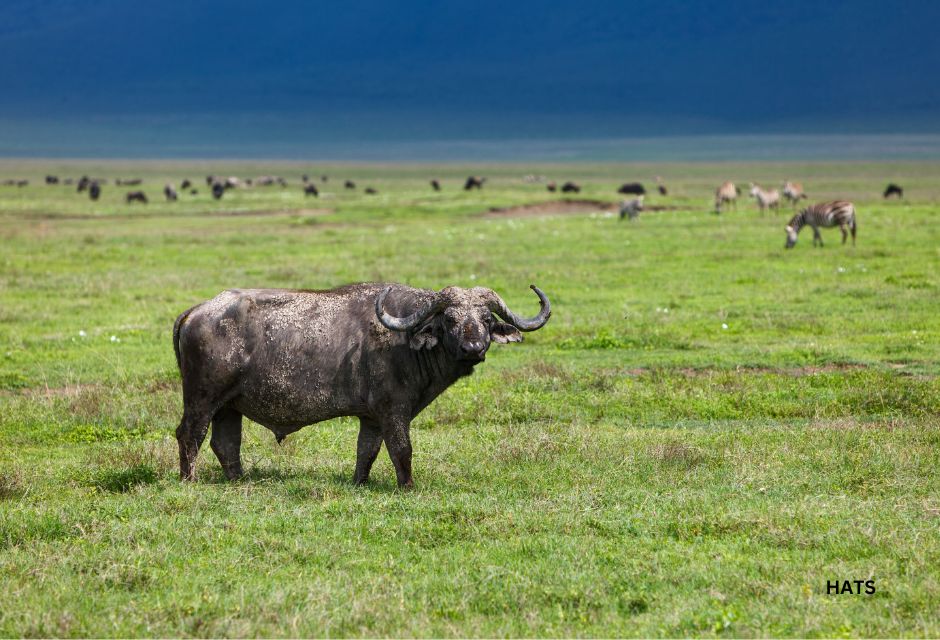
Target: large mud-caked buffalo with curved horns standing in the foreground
290	358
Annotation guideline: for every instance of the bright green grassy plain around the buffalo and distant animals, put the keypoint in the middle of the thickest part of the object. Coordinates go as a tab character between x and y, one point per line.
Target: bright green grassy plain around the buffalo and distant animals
708	430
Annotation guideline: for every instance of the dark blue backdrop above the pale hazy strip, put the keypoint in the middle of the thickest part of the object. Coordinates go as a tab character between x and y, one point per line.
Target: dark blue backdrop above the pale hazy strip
421	69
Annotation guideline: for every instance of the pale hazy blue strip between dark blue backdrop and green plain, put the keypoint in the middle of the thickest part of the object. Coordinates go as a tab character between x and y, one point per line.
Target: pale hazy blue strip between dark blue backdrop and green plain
705	147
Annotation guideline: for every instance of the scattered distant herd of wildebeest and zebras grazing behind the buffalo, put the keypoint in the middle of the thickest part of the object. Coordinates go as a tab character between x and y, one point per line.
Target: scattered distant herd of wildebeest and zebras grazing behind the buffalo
838	213
